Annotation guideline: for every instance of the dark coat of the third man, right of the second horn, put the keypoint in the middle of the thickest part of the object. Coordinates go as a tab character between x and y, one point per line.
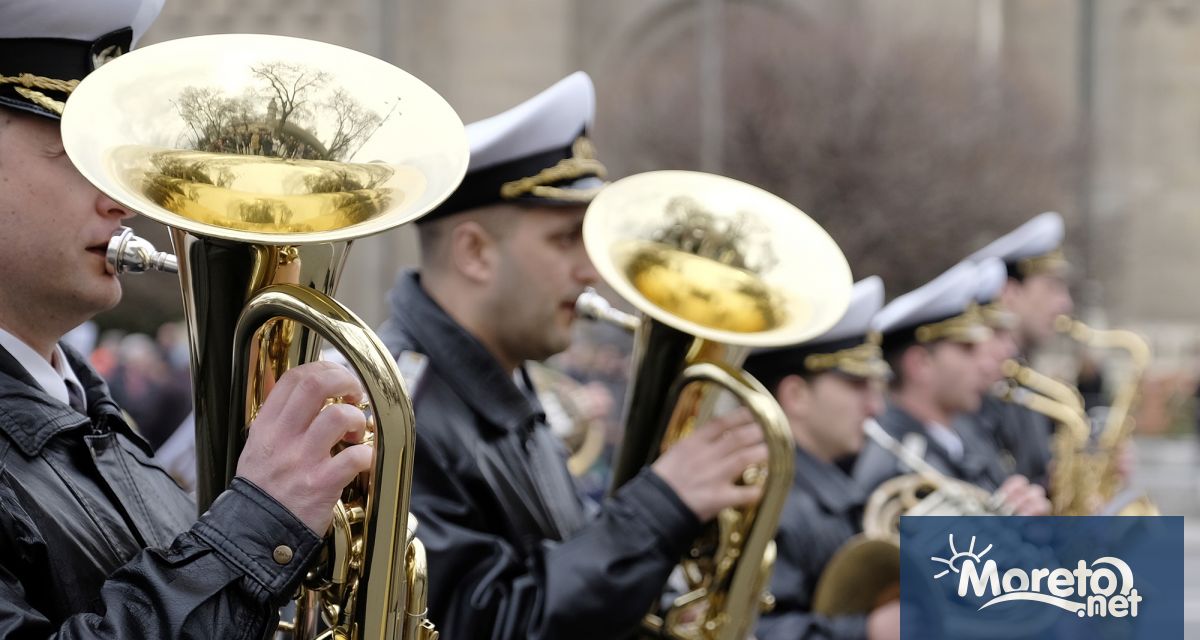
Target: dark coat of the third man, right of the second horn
824	511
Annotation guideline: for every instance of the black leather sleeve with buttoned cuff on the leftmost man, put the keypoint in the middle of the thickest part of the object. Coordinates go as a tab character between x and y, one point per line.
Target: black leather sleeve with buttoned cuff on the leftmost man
220	579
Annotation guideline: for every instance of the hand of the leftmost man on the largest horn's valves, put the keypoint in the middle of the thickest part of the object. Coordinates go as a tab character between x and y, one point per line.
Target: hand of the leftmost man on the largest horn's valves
289	453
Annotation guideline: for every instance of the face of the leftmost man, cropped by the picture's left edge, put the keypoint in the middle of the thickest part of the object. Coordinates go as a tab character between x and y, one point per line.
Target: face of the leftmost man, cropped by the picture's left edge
55	226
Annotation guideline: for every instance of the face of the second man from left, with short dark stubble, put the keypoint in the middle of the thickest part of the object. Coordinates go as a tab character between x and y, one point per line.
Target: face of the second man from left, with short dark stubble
544	268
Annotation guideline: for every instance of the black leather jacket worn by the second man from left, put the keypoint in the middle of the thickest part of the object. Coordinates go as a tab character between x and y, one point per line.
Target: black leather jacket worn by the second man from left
509	554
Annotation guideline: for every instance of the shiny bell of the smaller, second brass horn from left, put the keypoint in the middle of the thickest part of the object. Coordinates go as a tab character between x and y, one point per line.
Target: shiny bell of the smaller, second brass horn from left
717	259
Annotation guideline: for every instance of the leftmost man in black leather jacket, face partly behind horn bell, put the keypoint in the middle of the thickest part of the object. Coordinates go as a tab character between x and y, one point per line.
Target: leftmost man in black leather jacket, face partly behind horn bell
98	541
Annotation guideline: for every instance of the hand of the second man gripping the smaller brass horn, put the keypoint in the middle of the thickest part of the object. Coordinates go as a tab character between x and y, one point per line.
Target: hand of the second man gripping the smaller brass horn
705	468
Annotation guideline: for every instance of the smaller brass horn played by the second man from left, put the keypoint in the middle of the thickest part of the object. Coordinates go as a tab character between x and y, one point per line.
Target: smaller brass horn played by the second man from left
716	267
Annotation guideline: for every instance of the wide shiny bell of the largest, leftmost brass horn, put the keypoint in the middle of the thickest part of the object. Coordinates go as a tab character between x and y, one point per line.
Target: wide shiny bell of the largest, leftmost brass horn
265	140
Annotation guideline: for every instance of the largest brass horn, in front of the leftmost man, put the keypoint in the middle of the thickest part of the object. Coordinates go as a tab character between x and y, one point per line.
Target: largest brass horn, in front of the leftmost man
267	157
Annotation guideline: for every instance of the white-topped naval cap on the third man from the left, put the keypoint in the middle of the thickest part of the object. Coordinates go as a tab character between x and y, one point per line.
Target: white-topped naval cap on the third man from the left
848	348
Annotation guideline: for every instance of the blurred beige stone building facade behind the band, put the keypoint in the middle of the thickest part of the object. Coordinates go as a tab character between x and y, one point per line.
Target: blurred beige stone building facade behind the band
1125	75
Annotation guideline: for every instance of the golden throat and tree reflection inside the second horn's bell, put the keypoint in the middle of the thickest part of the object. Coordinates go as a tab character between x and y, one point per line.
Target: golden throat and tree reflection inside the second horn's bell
698	267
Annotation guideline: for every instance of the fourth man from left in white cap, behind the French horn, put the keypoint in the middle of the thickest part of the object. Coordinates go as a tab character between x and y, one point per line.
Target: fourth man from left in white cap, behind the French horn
931	337
